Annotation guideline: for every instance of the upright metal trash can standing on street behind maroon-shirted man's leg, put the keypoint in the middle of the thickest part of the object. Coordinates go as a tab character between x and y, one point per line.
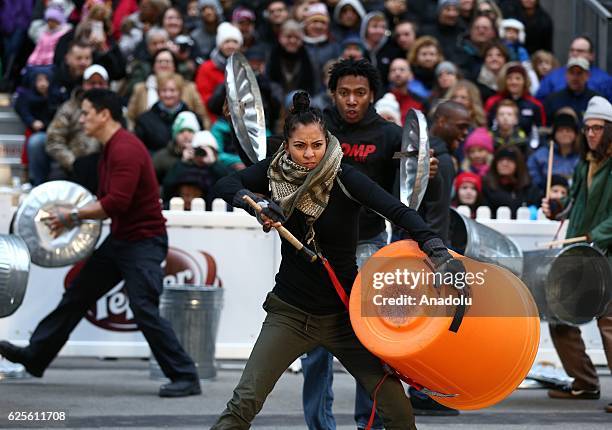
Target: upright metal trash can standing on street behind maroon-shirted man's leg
194	313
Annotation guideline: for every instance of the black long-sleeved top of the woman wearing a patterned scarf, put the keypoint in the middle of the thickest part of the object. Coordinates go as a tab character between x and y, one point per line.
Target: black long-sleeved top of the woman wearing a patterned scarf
306	285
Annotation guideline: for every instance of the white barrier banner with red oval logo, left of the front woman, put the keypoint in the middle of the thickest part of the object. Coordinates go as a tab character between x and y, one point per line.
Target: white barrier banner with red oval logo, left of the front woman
242	261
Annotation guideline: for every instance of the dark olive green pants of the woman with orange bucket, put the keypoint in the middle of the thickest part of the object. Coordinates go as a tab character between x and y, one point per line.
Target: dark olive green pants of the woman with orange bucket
289	332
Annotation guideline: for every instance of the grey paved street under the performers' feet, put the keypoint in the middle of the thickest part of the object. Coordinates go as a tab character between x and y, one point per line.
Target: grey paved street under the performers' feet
115	394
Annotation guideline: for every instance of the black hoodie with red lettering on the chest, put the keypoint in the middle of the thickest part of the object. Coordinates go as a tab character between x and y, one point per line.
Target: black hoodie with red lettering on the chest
368	145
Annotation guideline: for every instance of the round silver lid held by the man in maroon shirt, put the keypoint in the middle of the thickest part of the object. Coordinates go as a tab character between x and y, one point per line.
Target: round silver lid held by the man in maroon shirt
71	246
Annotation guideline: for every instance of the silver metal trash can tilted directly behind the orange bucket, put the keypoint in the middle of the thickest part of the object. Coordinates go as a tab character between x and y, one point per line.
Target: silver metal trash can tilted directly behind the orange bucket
482	243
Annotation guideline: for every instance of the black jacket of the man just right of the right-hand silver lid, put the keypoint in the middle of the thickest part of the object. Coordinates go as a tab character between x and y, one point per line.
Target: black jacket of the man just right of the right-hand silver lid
436	203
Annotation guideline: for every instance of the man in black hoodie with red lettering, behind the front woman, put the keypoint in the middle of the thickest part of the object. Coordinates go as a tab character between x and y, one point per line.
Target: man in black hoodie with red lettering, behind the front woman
368	143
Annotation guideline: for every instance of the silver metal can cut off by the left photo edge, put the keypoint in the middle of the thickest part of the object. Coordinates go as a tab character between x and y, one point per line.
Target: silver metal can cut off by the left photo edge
14	271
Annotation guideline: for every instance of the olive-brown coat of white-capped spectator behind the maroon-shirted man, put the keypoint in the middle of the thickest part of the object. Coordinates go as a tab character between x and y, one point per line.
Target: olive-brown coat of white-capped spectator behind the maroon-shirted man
66	139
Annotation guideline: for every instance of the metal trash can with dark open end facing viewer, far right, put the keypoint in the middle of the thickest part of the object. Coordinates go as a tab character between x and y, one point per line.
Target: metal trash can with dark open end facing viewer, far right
571	285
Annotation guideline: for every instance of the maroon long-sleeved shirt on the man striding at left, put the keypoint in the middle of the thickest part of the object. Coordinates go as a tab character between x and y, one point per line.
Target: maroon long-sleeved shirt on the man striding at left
128	189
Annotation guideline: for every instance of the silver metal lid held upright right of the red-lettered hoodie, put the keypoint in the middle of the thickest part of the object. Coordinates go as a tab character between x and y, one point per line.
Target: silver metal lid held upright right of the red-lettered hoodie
414	160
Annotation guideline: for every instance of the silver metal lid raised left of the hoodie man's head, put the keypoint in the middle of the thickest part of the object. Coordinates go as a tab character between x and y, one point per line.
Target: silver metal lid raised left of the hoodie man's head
246	107
